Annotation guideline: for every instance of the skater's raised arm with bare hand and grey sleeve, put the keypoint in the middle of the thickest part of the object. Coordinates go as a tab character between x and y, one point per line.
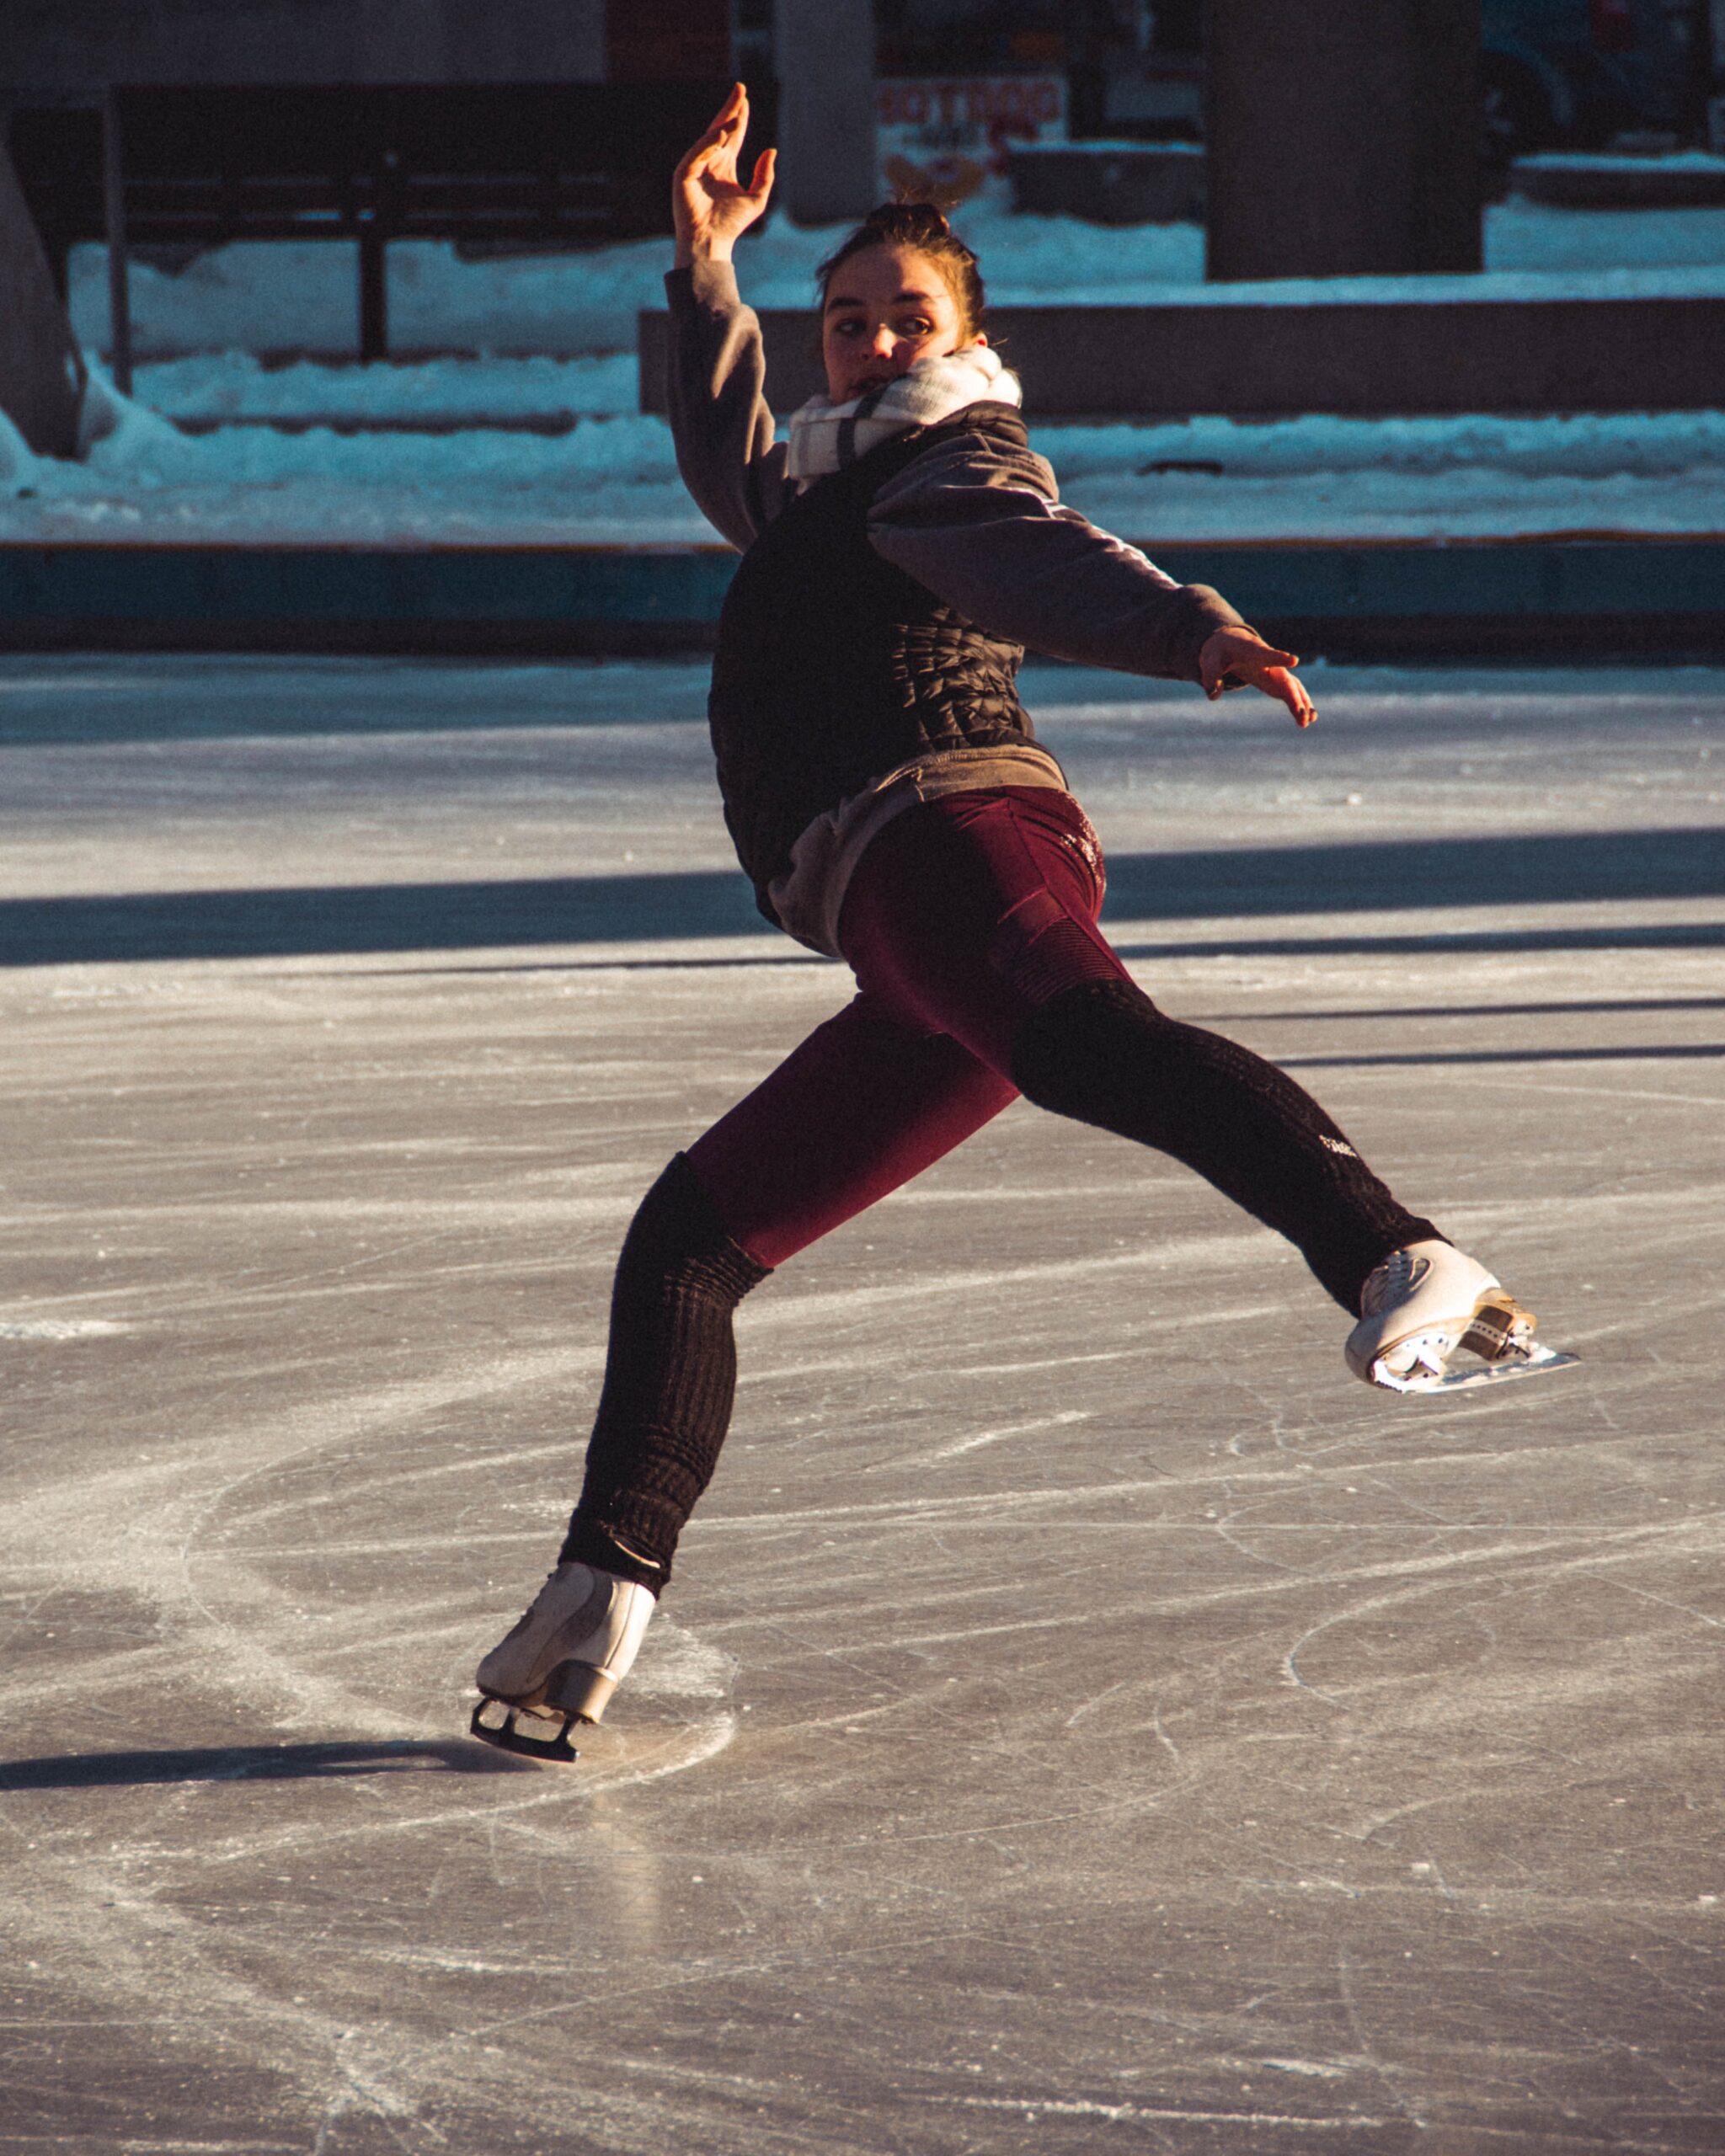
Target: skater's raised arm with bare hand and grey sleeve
719	413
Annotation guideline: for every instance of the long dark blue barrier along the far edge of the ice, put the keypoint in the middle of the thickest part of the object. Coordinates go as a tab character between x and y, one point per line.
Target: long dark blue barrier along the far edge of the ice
1493	596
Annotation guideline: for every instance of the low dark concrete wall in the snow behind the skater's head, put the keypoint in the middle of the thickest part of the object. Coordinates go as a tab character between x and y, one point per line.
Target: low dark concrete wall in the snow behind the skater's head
1278	361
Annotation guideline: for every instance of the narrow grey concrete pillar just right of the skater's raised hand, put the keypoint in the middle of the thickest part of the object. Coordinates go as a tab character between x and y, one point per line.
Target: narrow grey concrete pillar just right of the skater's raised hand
827	109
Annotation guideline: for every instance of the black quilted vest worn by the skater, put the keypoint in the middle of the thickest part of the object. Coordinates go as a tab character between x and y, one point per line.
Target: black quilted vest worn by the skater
836	667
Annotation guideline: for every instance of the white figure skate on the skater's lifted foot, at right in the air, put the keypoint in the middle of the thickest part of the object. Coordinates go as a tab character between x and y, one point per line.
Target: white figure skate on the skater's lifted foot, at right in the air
1431	1301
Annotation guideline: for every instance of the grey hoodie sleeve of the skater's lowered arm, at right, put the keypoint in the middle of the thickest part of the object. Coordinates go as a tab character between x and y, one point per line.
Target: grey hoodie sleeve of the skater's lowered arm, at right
982	527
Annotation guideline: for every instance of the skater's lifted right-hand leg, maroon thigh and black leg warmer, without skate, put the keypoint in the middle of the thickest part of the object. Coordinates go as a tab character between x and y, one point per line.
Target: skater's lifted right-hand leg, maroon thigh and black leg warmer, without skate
978	915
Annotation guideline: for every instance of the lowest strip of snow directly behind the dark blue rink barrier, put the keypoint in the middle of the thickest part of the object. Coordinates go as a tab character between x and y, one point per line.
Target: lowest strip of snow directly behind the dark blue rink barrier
613	478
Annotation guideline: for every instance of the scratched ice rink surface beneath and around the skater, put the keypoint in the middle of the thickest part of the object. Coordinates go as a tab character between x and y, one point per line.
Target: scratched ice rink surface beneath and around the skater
1084	1719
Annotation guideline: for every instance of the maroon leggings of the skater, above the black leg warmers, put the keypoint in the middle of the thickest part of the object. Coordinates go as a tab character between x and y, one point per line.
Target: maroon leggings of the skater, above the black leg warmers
965	915
